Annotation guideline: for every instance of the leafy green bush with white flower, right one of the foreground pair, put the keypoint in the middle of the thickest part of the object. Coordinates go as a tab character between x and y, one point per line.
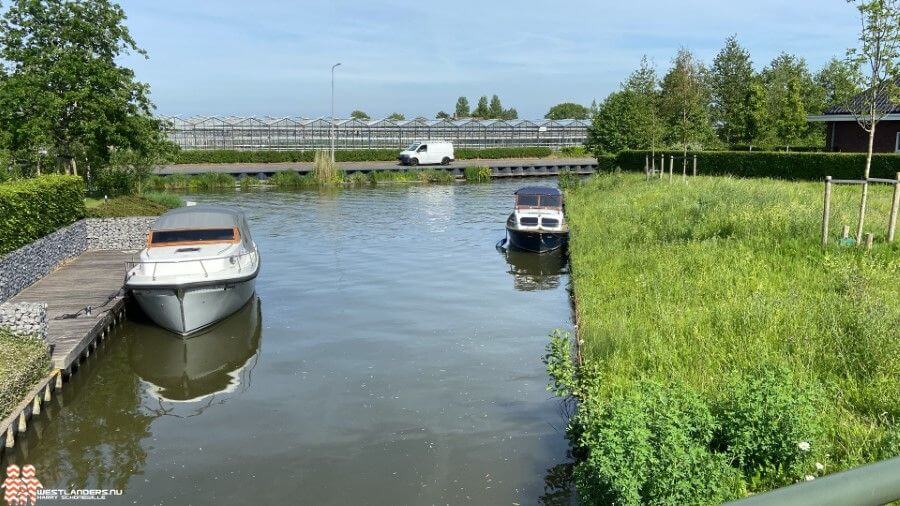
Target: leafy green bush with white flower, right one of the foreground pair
770	427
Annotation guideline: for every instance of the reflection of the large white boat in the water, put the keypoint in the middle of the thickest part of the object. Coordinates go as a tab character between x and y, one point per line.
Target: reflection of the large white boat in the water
217	361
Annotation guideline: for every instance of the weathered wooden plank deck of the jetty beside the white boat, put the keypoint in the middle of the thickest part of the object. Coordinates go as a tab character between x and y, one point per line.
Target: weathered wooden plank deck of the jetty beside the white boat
88	280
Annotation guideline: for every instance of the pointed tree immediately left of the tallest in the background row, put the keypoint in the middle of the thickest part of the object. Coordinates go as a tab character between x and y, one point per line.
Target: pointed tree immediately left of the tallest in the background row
684	102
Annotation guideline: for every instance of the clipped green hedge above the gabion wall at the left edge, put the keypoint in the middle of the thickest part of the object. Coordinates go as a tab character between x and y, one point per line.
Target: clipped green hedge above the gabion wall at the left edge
33	208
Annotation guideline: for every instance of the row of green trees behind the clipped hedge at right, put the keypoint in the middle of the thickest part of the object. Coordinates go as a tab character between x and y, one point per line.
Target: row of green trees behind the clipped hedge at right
725	104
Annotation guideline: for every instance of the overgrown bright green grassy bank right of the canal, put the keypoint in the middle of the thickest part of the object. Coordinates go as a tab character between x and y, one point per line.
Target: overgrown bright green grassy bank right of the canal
725	351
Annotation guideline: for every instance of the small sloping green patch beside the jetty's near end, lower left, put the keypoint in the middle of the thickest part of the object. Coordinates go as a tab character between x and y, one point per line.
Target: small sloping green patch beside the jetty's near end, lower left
23	362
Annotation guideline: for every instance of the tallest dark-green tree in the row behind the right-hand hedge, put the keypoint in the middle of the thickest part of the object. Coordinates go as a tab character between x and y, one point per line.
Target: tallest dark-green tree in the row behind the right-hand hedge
730	80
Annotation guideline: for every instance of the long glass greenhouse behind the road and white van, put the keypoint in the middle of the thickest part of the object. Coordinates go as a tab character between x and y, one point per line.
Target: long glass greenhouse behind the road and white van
268	133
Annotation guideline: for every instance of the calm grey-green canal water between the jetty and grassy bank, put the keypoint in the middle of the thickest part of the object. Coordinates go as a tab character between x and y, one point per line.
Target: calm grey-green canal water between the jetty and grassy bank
393	356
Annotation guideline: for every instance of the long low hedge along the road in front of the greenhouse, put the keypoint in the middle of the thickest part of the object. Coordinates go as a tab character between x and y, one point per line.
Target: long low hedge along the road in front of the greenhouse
345	155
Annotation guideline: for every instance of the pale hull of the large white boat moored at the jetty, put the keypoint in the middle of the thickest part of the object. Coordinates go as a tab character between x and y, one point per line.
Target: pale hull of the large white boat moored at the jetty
185	310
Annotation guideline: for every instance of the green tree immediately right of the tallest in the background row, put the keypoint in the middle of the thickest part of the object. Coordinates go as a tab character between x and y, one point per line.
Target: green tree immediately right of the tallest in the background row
786	78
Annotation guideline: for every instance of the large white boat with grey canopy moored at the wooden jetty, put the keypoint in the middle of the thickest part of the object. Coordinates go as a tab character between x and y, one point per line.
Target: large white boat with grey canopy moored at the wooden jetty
199	266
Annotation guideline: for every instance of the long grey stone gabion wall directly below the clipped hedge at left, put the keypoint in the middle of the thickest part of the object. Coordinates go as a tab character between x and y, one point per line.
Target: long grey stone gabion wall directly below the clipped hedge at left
24	266
